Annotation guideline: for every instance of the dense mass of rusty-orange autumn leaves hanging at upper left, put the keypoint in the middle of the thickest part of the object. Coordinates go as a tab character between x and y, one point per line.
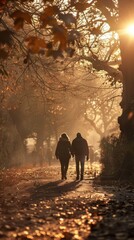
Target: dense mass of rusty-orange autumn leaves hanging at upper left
47	28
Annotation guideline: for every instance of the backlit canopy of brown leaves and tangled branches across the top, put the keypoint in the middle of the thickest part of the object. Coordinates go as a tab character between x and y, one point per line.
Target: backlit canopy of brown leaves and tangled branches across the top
59	29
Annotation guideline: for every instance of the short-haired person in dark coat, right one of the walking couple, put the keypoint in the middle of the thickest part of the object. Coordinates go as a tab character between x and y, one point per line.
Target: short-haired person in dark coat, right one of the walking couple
81	151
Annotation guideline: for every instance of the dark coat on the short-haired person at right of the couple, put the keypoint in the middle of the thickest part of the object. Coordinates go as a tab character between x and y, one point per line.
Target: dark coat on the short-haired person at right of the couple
80	147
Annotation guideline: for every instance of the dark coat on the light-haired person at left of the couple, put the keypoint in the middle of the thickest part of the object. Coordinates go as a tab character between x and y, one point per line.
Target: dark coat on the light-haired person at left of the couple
63	149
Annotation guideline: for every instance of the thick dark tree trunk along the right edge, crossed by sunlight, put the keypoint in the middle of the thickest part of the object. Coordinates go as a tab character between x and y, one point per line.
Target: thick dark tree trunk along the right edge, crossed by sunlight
126	120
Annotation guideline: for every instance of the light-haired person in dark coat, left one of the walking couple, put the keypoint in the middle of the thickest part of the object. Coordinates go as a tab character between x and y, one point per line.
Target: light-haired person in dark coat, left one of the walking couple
63	153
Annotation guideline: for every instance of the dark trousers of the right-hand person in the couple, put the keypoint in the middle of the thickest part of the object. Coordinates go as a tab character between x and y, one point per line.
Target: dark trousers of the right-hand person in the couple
80	162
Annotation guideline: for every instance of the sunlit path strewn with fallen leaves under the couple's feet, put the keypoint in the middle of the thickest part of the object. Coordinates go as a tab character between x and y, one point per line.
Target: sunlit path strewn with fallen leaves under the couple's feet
36	204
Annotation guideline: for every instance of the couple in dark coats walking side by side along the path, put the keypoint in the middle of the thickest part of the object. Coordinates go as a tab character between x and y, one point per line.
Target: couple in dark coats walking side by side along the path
78	149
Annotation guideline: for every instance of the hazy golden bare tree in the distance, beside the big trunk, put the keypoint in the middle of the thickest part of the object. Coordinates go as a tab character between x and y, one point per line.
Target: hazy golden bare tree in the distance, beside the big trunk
102	109
